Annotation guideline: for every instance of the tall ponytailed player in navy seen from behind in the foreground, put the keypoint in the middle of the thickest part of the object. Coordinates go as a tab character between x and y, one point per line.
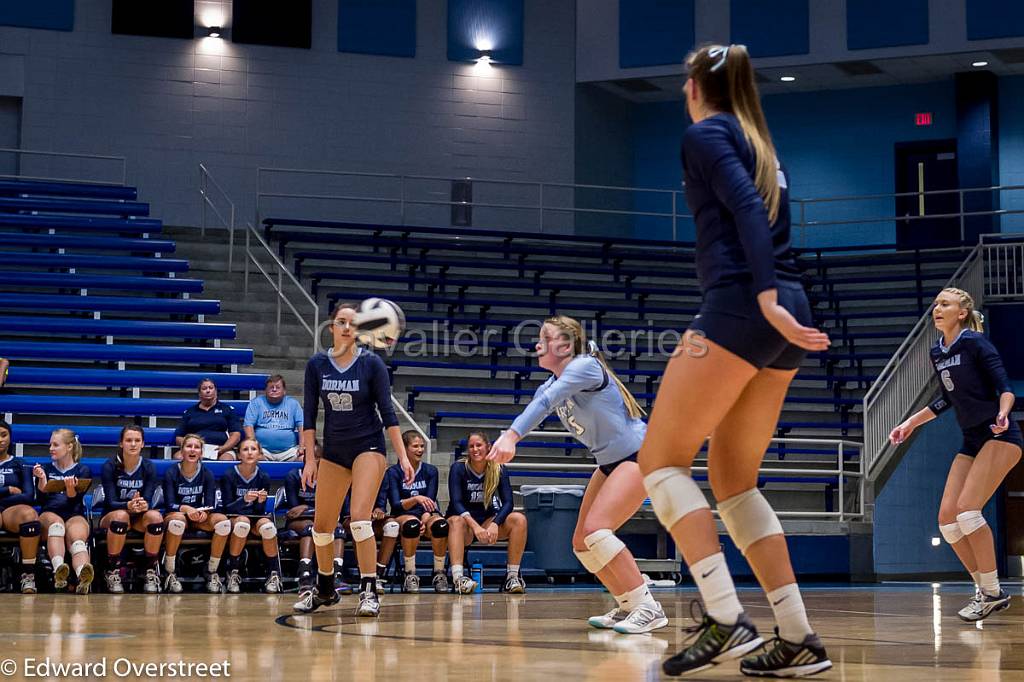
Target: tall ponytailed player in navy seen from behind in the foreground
731	374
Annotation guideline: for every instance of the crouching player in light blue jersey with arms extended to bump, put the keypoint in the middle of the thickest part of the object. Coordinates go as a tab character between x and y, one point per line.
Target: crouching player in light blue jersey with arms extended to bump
601	412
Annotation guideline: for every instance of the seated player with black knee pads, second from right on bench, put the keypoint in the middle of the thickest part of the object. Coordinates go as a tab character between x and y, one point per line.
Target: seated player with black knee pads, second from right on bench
418	514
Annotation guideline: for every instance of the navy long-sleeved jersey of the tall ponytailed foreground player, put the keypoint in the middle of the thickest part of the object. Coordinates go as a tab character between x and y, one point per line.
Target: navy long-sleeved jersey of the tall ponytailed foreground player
735	241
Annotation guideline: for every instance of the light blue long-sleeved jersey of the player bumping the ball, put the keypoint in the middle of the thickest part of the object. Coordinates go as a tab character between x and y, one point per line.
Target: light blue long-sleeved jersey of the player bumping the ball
590	407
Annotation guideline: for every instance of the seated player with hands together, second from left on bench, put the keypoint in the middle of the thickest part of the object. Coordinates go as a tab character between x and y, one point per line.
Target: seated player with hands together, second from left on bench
63	513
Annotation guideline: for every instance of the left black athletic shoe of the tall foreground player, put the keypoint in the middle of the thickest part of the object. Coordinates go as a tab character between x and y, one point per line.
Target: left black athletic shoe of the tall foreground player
713	644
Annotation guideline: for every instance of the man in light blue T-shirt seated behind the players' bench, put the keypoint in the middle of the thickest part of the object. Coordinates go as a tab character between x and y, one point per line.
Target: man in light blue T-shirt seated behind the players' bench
275	420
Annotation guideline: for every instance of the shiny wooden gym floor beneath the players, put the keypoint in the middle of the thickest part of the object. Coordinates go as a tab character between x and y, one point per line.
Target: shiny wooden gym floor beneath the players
905	632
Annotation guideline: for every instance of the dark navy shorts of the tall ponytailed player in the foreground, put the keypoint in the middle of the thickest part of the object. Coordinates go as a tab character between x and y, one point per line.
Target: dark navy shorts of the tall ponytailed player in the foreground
732	318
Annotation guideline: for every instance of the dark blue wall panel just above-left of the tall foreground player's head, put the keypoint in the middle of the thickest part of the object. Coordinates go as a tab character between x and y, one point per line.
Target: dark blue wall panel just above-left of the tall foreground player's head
655	32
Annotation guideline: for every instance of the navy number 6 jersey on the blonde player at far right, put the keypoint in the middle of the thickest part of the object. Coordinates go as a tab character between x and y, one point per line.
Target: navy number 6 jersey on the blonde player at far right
972	378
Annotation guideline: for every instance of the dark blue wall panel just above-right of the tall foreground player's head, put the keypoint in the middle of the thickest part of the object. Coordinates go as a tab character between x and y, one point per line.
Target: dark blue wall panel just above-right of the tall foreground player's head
771	29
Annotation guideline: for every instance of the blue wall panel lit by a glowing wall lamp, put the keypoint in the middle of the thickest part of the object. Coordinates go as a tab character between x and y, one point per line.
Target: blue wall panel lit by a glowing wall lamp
496	22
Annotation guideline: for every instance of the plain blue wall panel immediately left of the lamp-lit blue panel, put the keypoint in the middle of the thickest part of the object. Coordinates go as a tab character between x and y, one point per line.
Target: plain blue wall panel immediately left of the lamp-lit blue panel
377	27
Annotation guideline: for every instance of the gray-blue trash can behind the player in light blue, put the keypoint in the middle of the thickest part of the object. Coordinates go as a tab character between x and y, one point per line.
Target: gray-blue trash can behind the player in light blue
551	514
